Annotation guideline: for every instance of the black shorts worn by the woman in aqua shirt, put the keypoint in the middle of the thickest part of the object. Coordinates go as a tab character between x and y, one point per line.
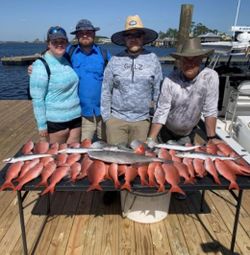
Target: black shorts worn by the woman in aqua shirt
58	126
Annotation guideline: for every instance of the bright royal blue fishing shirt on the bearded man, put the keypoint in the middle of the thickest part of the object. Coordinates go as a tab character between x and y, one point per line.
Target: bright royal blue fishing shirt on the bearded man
89	68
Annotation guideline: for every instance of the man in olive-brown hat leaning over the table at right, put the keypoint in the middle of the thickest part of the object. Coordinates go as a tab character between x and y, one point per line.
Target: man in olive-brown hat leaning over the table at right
188	92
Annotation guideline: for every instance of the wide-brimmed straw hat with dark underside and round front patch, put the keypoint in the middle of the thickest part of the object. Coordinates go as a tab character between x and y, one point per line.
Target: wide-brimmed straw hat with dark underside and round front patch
134	23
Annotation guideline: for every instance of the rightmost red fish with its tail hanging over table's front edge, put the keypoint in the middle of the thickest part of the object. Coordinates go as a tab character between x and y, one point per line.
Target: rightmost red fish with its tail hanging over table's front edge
227	173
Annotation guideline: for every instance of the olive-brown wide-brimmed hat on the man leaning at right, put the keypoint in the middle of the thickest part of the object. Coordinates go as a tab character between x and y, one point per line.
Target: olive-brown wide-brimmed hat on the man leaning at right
192	48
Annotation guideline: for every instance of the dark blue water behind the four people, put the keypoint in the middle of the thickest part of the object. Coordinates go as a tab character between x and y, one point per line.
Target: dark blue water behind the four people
14	80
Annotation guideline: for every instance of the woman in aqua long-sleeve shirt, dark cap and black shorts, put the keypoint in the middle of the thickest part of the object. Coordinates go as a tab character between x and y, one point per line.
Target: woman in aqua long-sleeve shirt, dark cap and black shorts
55	99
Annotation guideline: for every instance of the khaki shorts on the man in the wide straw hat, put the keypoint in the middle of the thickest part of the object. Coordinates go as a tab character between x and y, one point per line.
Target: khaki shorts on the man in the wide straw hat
124	132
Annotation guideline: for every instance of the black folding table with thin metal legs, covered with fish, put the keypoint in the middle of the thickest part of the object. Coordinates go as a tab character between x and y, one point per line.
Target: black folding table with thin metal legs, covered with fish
206	183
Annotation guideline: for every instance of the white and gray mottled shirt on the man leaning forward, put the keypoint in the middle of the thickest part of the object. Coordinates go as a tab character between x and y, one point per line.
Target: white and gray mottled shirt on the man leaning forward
182	102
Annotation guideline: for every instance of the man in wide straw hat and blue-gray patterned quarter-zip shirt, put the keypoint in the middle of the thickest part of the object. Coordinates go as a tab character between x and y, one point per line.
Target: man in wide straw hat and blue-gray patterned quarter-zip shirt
131	84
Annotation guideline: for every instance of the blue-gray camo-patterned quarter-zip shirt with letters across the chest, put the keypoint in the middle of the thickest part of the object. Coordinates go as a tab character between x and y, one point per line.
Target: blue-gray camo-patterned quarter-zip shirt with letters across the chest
130	85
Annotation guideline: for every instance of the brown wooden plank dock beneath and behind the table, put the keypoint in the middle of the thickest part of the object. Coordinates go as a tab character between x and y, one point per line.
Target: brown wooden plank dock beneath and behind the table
79	223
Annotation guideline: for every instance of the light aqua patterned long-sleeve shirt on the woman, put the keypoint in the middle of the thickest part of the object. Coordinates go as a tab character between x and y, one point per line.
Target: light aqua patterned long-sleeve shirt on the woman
55	99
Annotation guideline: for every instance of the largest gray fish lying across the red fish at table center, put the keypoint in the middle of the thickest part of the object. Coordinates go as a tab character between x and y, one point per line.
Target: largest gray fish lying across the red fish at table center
122	157
